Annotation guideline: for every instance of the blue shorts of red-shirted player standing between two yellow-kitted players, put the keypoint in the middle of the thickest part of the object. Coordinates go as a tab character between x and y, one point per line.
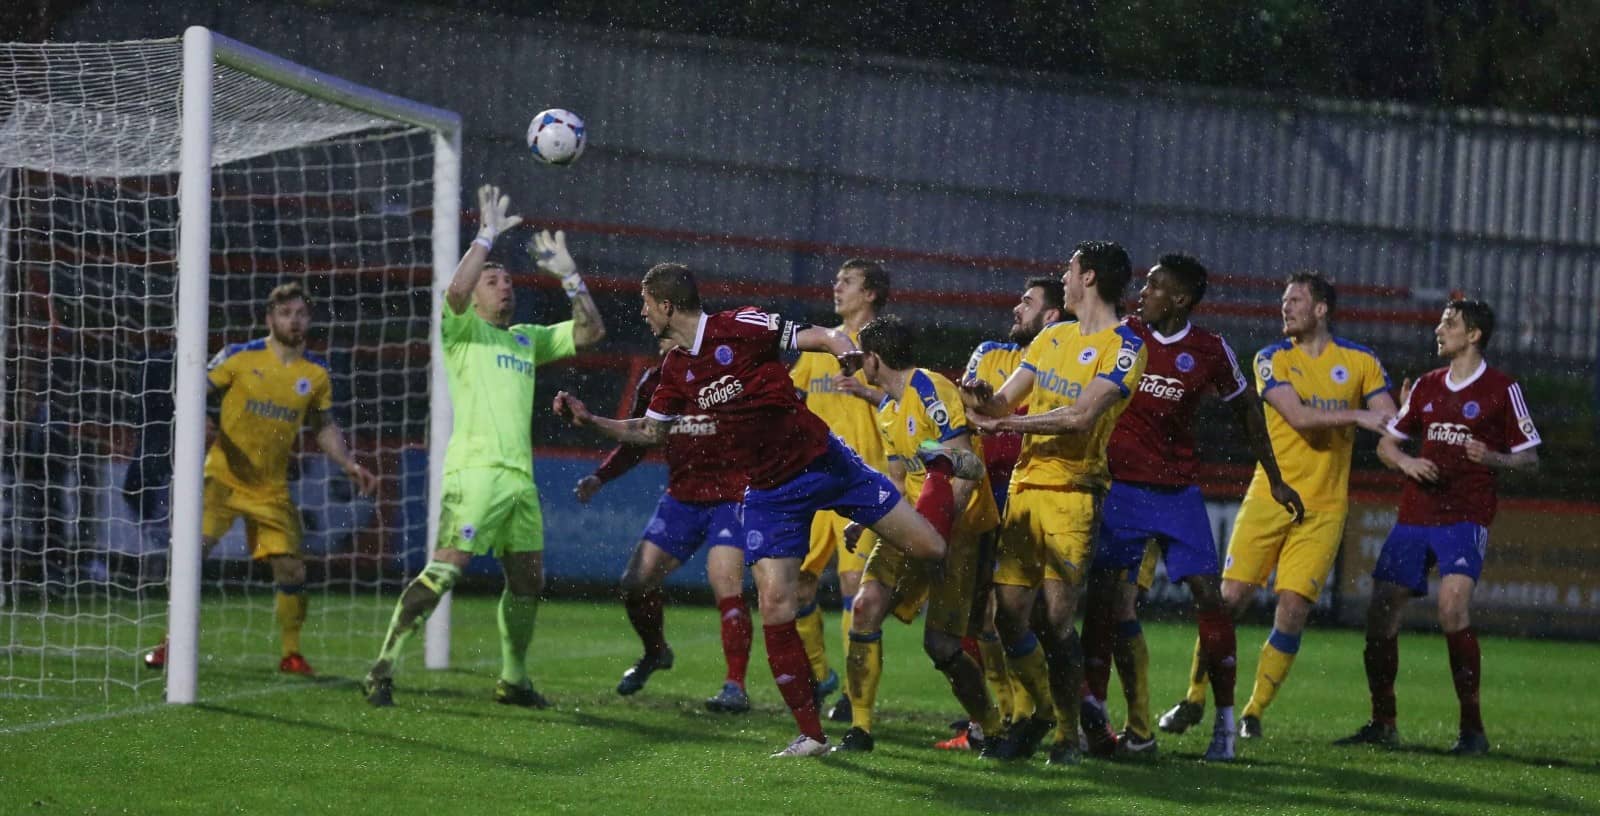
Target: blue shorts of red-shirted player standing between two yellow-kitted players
1175	518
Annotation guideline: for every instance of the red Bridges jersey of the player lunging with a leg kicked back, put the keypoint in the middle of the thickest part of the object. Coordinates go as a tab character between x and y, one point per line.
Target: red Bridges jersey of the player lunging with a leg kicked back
734	375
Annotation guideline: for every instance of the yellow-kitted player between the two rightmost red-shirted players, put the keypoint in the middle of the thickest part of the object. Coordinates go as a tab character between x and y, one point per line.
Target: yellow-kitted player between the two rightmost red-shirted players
1318	391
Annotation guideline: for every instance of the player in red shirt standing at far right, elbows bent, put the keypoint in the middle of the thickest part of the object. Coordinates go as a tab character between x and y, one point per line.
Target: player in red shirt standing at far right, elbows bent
1470	422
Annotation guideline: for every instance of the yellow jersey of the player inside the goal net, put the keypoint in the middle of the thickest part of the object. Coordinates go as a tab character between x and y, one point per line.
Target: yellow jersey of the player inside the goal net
265	406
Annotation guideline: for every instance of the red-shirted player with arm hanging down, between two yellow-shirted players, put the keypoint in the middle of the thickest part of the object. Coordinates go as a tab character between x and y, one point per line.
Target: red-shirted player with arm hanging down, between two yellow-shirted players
1154	498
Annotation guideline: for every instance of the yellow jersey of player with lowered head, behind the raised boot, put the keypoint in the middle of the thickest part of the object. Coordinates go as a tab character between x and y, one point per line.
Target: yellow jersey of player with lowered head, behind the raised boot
930	410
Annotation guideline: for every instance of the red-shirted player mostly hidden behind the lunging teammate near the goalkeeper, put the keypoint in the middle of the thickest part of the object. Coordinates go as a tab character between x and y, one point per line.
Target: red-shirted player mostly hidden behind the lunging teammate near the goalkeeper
700	506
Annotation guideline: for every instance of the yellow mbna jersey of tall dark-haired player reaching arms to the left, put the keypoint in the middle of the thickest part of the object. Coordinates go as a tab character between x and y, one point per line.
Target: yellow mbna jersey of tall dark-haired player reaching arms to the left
1063	362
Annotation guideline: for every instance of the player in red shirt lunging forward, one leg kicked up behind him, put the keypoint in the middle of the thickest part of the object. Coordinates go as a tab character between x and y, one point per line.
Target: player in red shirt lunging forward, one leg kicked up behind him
727	366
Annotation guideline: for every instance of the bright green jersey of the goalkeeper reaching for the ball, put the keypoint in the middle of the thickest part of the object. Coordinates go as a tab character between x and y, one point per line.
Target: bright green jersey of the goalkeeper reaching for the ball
490	374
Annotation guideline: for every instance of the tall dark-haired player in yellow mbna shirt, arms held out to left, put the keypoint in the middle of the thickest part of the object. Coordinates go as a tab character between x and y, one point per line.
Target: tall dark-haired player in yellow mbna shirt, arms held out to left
1078	380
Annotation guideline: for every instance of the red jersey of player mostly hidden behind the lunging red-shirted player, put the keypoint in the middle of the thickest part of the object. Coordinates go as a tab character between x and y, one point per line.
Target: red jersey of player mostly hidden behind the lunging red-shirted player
695	471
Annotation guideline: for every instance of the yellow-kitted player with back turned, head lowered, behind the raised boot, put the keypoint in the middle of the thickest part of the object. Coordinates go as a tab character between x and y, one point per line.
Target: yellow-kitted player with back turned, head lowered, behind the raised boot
930	458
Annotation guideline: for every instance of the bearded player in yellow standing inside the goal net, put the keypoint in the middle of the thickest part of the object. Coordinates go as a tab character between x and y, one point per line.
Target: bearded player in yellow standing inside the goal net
271	388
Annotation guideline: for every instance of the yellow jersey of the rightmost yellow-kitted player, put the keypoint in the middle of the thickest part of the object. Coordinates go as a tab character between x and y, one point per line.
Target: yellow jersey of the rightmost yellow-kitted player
1318	463
